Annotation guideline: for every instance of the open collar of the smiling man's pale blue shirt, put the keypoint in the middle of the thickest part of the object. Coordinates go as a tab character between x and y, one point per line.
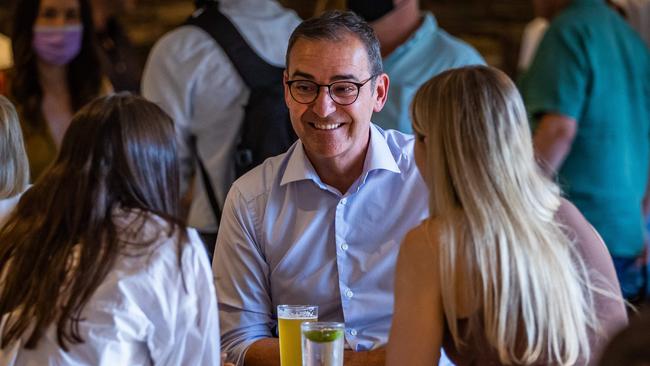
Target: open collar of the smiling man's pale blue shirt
378	157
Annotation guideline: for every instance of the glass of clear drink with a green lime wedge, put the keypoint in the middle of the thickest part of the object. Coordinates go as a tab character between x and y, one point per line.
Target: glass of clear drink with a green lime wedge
322	343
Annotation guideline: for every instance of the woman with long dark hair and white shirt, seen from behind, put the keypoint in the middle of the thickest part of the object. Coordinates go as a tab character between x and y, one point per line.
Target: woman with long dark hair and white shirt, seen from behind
95	269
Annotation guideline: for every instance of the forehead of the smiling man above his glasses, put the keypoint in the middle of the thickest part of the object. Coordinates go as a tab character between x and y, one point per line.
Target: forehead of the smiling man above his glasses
346	58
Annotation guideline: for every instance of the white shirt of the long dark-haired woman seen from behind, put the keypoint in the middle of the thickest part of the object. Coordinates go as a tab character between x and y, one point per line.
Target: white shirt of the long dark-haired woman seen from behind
146	312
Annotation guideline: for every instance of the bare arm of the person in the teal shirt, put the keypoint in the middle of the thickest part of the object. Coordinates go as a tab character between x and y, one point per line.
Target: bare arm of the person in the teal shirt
552	141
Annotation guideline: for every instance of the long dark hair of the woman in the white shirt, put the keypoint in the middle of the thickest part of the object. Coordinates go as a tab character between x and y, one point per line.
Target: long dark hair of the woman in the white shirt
119	154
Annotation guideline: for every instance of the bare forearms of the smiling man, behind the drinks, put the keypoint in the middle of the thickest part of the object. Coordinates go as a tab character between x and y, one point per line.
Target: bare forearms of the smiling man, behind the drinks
266	352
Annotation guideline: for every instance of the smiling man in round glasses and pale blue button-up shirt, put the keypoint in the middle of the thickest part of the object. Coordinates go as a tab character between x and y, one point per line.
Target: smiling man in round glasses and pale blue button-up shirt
321	224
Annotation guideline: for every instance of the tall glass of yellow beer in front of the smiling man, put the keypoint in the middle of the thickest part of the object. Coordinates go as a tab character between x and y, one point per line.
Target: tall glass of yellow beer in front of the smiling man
289	319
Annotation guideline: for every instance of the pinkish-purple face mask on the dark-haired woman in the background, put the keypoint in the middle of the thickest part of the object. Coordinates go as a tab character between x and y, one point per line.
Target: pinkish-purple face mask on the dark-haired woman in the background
57	45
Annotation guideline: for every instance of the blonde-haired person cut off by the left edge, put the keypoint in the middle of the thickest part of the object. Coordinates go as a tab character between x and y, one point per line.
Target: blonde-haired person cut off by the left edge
14	167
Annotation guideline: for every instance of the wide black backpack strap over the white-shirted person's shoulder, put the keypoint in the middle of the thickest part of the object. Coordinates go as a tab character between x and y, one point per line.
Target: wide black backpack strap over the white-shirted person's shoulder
252	68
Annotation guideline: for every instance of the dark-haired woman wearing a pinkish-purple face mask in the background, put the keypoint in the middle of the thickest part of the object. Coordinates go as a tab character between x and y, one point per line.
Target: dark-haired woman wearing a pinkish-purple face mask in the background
56	71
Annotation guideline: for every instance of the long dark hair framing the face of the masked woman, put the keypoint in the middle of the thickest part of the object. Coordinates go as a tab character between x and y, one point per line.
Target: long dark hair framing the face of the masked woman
83	72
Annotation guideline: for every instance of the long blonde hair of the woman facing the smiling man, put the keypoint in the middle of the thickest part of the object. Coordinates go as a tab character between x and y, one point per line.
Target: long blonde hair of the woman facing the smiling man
498	227
